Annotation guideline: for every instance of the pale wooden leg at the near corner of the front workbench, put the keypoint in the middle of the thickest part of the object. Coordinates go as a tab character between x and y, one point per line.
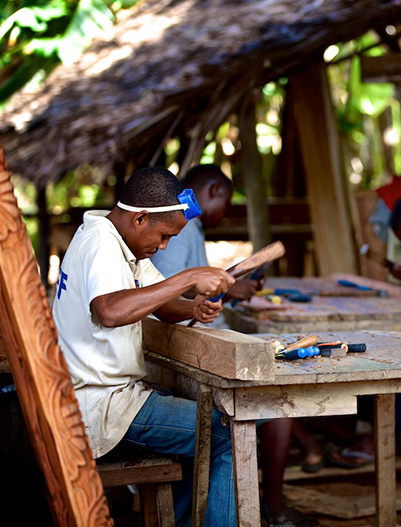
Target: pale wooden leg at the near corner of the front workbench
243	437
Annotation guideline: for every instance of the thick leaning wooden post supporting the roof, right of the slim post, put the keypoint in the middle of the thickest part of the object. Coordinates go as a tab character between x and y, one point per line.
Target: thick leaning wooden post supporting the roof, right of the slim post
330	199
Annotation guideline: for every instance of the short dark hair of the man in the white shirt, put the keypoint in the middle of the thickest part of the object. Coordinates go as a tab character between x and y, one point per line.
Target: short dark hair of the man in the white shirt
153	187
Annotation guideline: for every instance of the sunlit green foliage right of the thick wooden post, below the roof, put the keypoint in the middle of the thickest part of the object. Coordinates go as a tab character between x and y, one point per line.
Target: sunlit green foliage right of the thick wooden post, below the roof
360	109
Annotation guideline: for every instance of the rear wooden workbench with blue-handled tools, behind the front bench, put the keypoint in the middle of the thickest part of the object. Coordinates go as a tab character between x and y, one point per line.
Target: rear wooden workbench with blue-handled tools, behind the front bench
333	308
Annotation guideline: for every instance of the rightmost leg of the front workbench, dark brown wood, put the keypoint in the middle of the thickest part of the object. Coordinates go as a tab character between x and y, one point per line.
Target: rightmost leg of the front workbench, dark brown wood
386	513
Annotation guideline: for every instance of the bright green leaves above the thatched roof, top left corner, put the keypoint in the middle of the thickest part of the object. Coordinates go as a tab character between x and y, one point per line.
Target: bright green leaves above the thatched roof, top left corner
36	35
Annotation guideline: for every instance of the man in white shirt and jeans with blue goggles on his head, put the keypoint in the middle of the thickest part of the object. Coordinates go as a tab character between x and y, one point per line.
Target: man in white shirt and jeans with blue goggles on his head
107	285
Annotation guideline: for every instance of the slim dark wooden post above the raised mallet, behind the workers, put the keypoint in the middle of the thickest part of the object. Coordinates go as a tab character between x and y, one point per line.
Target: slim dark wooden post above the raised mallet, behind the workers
256	205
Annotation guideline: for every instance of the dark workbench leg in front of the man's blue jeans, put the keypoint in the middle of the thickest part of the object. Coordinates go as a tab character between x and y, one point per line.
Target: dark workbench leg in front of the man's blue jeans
204	406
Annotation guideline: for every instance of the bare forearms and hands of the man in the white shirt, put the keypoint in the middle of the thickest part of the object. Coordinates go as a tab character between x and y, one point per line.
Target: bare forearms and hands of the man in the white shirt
163	299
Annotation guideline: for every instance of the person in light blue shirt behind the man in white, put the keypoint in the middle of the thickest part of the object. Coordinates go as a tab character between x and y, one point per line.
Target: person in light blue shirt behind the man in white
213	191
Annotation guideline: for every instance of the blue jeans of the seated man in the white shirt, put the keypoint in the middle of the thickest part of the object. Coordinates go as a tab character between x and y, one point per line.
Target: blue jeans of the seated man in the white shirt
166	424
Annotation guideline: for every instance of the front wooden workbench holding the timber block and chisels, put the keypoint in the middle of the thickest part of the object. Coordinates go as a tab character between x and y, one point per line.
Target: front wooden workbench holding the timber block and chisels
311	387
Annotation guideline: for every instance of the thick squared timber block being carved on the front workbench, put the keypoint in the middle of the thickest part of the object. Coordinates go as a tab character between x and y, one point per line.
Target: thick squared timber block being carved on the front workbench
221	351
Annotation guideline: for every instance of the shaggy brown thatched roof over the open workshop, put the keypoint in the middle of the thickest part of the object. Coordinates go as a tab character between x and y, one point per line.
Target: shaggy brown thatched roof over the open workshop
167	66
